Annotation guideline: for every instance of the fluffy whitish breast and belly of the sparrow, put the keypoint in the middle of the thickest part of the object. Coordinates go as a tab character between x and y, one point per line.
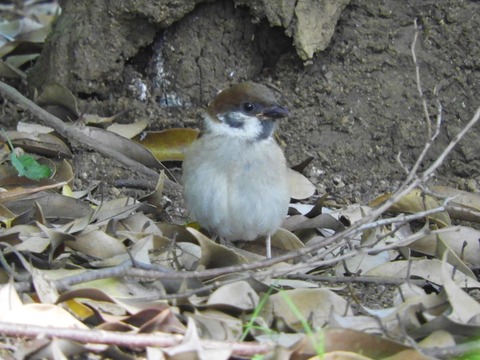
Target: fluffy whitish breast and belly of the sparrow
238	188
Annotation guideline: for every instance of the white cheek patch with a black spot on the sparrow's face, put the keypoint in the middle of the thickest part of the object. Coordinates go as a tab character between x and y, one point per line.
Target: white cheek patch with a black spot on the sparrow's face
236	124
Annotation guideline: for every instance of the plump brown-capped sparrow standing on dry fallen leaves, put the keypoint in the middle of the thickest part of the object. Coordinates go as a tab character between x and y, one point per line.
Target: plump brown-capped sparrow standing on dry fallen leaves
235	174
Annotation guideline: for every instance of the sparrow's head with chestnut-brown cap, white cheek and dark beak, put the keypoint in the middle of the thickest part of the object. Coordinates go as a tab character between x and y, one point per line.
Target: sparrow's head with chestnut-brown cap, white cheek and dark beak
246	110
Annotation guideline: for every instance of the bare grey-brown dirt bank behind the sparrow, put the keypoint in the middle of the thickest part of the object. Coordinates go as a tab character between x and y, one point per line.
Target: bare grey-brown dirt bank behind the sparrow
354	106
